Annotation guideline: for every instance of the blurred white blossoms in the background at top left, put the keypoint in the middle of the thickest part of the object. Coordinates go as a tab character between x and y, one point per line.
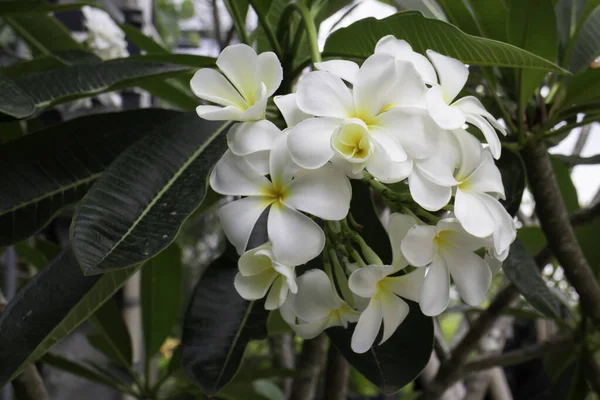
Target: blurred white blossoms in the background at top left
105	37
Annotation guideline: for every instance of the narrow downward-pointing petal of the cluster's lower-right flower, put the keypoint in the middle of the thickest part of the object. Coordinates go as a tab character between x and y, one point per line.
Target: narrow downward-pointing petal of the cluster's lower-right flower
435	292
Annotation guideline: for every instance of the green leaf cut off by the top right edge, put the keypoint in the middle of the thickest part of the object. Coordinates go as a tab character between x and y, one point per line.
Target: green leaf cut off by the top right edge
587	44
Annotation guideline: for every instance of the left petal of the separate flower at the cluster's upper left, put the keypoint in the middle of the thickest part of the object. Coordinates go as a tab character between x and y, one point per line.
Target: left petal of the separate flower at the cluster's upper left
211	85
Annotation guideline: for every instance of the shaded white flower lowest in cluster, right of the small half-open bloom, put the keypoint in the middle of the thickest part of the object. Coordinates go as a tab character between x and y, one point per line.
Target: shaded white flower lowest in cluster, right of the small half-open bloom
316	306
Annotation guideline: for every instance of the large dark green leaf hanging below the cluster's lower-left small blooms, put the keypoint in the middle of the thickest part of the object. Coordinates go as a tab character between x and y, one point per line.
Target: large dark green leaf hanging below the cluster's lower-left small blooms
217	327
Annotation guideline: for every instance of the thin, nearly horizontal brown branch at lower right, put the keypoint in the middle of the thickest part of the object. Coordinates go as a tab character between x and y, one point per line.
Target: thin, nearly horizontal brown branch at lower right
517	356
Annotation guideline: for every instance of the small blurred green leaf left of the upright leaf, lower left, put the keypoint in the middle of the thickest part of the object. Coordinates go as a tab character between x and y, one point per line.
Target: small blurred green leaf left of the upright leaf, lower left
112	333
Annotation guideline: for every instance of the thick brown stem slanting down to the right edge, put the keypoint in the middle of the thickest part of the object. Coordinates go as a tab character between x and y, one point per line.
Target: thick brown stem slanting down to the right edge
554	220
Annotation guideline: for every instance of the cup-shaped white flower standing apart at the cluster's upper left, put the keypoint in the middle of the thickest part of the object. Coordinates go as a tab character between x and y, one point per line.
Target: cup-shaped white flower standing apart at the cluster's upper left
243	86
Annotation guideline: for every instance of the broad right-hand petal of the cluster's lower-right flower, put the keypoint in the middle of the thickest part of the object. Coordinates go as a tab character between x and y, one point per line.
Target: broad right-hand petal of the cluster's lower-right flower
471	275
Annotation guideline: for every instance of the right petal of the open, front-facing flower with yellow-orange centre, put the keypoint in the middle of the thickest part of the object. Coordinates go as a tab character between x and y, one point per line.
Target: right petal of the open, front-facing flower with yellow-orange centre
324	192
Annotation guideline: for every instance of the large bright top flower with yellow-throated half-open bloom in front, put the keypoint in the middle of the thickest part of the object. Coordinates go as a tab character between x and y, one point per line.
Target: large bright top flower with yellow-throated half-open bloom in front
372	126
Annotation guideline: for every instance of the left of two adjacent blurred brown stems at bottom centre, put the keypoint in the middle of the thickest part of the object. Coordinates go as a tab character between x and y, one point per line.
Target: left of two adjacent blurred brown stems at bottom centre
309	367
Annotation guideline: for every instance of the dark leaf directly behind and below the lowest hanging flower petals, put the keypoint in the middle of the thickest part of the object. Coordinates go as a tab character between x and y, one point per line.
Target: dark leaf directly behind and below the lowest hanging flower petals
399	360
